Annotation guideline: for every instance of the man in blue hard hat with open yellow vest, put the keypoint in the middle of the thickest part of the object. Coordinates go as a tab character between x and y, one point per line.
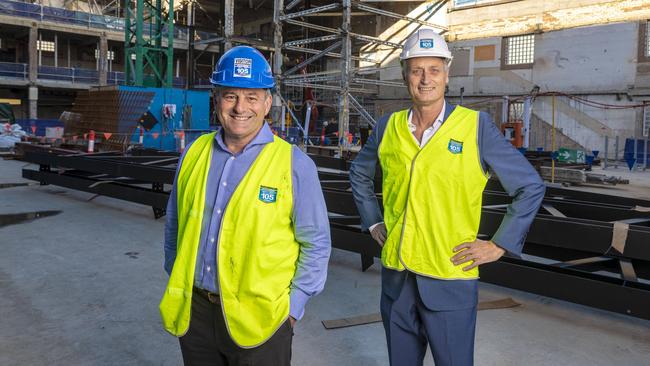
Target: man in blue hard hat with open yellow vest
247	236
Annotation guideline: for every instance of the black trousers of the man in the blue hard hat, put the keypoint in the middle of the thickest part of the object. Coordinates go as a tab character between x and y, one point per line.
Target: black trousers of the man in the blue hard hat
207	341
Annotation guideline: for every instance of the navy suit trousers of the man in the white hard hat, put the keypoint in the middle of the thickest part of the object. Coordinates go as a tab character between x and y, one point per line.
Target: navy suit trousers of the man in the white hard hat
410	326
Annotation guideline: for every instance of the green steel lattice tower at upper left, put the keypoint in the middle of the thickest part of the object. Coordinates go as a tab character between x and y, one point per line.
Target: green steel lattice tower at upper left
148	42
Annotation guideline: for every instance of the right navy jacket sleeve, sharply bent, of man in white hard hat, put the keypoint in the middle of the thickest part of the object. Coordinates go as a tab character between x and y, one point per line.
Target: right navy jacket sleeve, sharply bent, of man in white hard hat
520	181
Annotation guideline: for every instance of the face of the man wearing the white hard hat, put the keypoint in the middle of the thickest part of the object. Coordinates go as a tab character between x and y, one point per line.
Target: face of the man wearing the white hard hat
426	79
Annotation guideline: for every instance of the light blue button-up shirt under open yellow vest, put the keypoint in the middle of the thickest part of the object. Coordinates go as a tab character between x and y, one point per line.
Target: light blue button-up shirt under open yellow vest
309	217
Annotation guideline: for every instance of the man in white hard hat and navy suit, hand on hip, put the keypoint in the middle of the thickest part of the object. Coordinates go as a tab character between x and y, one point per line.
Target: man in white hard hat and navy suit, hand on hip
434	158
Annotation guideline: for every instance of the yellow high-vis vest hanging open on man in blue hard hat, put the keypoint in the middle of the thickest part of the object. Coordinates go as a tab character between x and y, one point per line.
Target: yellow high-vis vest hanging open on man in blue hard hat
257	250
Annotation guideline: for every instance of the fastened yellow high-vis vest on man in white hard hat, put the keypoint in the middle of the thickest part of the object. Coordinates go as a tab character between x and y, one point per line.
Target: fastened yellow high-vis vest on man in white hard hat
432	195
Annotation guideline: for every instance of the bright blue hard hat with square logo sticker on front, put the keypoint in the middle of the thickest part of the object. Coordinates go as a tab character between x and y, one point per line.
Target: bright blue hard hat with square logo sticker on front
243	67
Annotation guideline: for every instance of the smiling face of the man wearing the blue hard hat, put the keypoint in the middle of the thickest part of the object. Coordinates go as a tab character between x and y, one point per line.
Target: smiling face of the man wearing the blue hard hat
241	111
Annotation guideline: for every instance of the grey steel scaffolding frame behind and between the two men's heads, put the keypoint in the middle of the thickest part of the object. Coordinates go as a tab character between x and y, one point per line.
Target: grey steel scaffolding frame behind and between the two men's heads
349	79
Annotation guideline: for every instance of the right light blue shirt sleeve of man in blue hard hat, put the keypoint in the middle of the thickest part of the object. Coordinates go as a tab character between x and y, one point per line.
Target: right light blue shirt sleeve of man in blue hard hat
312	231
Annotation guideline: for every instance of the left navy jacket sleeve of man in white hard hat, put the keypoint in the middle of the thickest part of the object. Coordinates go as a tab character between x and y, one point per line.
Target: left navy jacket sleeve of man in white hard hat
362	175
